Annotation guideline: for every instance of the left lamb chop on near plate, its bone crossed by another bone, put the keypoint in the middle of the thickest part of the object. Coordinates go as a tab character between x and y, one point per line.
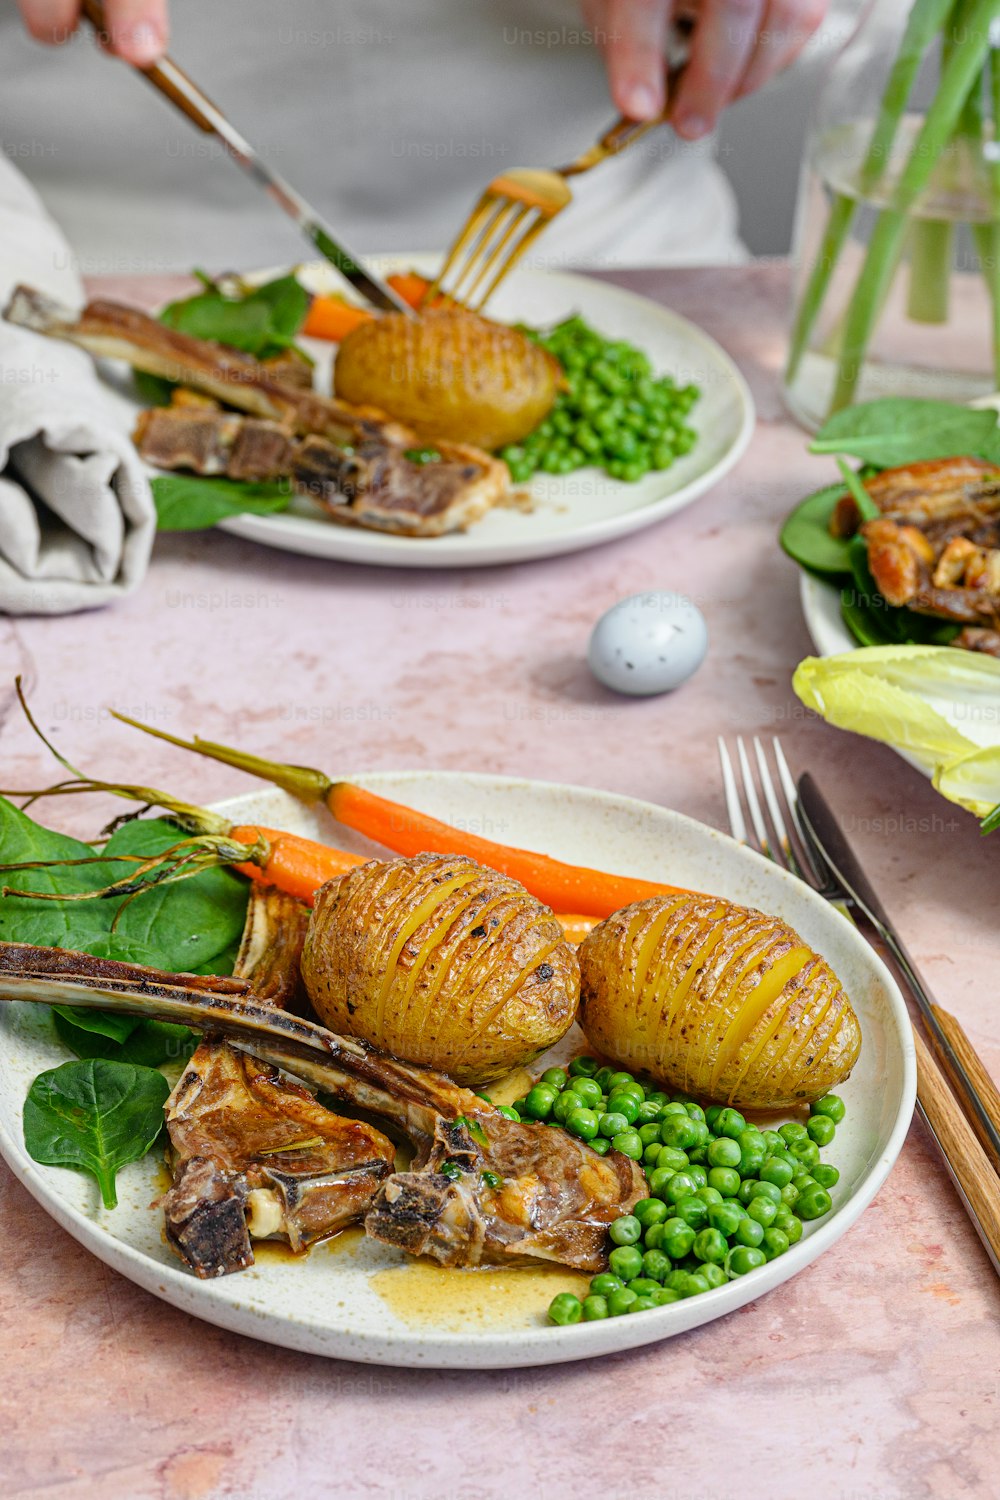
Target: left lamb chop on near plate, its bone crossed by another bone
253	1154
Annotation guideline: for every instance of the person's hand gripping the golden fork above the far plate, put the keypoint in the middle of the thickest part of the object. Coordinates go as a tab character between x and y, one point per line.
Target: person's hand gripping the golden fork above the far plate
737	47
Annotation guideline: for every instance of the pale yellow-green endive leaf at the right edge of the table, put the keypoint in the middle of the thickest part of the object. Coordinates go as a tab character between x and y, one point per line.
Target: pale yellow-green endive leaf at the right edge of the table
936	704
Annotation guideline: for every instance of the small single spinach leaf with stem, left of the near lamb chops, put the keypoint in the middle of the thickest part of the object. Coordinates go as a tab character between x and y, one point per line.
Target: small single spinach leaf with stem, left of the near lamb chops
95	1117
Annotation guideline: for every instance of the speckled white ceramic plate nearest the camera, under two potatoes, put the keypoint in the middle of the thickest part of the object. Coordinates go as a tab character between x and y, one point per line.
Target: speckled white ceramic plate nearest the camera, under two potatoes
361	1301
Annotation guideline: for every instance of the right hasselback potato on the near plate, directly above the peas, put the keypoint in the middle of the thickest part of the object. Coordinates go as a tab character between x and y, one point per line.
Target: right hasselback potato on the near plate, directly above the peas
719	1001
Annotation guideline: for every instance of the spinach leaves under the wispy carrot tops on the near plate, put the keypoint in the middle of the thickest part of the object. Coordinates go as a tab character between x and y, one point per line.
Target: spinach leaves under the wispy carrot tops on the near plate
173	928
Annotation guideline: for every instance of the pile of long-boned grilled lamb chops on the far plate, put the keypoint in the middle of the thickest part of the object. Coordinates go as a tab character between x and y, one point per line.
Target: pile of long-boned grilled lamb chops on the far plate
353	461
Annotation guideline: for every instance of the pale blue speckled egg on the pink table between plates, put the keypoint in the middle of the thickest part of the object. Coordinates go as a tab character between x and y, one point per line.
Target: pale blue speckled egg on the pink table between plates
648	644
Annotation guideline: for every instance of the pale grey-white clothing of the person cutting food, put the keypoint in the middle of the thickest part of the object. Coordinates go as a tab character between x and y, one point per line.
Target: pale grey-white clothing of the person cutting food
391	116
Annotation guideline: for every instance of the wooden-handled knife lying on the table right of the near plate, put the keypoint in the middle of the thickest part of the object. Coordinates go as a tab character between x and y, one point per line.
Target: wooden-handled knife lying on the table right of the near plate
833	847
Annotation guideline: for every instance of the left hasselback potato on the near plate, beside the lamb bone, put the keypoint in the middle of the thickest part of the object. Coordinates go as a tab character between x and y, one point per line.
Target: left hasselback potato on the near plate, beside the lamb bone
443	962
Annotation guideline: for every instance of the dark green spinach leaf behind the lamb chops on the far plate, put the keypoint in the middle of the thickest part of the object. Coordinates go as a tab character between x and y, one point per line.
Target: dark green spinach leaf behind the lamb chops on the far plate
265	323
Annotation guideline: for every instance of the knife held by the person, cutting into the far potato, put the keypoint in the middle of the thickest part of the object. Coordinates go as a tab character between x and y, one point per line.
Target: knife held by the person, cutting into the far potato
187	97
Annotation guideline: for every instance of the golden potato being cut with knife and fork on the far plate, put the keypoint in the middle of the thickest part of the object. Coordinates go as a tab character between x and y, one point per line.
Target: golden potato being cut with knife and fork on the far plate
451	376
